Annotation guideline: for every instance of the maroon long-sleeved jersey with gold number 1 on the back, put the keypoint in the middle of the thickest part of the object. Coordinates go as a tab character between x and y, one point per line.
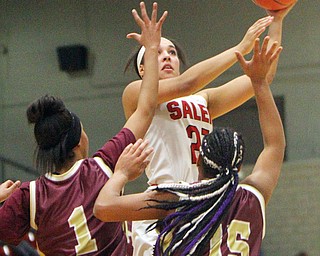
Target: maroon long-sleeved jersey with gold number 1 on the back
60	208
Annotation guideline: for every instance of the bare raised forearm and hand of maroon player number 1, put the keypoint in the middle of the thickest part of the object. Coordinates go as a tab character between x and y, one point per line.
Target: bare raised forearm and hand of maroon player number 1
150	36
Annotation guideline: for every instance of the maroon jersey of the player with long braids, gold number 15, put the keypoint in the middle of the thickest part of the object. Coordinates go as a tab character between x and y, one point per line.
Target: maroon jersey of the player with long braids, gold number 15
243	228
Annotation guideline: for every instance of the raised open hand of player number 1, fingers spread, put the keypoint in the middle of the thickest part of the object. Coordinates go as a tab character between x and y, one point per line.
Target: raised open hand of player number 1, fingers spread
150	28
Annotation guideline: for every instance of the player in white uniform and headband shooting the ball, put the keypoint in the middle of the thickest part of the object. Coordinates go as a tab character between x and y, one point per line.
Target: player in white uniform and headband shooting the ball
185	112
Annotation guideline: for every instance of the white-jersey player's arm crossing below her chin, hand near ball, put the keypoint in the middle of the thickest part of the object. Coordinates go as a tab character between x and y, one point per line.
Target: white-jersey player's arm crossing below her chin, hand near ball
198	76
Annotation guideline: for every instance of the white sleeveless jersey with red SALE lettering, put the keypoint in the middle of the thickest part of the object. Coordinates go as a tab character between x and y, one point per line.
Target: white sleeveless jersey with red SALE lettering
175	134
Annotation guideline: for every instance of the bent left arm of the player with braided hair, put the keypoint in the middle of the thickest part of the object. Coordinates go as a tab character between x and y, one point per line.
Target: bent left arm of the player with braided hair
111	206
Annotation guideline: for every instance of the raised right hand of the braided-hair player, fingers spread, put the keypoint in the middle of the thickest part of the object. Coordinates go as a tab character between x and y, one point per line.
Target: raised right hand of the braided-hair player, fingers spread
257	68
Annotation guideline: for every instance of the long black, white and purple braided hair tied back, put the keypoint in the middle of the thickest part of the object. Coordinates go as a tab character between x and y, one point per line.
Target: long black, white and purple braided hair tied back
201	206
